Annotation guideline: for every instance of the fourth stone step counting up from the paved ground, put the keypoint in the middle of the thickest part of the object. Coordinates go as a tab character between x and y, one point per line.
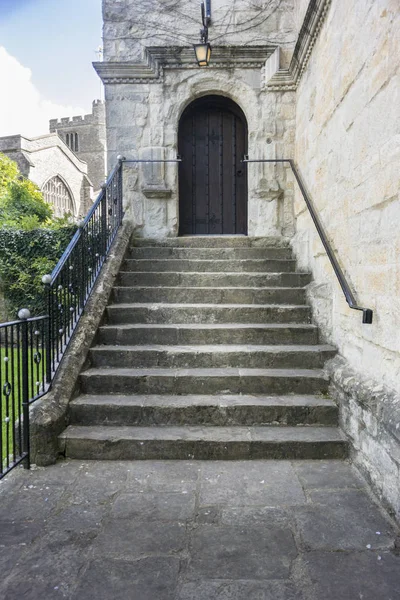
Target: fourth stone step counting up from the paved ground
202	357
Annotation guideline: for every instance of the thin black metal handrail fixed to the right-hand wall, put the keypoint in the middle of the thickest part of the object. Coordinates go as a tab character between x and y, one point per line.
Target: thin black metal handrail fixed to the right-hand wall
350	299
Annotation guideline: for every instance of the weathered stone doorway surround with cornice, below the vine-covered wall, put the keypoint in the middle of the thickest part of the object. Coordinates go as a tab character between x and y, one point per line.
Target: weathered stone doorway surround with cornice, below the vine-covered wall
144	103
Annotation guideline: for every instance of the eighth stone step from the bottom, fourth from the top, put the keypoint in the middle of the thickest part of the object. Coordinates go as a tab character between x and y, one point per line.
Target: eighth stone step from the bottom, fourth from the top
214	280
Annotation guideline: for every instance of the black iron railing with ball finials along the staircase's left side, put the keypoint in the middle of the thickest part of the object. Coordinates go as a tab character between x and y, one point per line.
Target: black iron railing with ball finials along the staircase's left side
31	349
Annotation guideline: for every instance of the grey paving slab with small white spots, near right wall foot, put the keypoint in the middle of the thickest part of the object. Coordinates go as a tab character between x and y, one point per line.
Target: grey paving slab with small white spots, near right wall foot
346	520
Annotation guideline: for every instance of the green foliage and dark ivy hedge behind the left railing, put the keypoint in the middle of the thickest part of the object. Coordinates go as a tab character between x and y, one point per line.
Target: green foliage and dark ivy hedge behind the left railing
31	240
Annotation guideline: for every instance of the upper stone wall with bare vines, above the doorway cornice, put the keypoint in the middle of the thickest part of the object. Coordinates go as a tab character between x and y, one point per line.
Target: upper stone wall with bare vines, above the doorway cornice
130	26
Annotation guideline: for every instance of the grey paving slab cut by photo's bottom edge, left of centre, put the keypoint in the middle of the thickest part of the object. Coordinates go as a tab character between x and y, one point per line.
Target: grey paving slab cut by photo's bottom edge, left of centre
152	578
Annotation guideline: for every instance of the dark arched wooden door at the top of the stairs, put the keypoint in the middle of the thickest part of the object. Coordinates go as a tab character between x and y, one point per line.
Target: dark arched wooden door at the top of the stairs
212	180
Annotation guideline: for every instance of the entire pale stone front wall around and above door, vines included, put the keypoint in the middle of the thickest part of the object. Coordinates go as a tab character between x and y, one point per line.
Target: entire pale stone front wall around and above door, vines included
149	82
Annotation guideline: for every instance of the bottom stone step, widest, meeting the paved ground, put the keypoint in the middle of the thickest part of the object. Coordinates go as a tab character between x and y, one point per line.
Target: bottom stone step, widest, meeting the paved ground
217	443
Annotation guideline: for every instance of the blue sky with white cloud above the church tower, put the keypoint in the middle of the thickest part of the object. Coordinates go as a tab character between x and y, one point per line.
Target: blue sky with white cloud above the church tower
46	52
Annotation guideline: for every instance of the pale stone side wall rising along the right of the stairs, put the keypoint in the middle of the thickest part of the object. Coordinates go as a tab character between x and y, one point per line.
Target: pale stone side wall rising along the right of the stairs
348	151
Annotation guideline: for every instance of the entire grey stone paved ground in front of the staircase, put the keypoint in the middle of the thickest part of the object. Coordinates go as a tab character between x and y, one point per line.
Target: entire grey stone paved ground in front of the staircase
169	530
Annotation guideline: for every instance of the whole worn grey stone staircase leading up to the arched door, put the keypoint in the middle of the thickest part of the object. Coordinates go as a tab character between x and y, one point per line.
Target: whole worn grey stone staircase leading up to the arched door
208	353
